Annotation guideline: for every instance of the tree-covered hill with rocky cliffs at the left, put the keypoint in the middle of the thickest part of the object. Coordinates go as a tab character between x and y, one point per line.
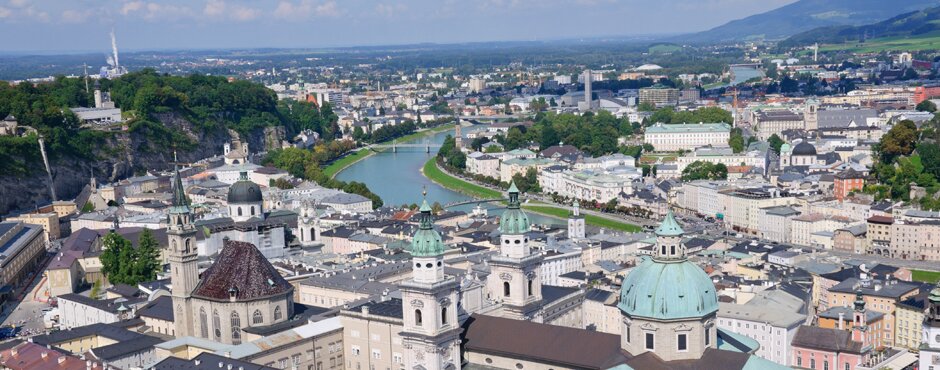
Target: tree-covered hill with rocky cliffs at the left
192	115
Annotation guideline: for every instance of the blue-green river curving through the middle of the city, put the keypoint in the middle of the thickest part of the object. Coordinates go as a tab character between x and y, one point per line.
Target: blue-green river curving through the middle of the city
397	178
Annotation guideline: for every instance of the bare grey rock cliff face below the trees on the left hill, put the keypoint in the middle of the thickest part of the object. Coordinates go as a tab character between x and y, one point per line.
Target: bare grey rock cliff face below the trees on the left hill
125	155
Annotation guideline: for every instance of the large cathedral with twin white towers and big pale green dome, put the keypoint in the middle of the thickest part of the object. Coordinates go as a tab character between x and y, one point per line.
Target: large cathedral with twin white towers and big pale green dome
667	305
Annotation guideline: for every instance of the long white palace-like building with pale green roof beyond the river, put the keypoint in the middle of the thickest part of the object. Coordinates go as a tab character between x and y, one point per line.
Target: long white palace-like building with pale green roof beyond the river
685	136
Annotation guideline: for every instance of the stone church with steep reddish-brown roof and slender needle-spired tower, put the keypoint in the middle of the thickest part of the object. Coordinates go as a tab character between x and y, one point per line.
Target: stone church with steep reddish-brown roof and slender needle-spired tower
241	289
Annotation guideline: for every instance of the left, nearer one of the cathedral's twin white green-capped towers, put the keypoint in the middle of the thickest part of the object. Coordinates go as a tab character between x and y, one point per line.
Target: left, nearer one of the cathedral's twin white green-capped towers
431	333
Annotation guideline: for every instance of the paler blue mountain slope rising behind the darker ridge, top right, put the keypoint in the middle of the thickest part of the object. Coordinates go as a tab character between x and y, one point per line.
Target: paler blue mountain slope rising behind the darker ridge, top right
805	15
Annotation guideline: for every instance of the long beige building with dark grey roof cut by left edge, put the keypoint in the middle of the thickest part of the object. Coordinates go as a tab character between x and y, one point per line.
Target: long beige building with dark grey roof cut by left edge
21	247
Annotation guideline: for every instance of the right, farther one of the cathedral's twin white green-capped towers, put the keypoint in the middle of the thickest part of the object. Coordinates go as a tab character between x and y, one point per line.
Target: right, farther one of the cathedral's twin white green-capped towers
514	280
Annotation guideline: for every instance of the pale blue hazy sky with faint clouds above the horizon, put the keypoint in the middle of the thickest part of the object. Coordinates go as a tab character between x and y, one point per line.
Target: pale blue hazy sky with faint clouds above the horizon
83	25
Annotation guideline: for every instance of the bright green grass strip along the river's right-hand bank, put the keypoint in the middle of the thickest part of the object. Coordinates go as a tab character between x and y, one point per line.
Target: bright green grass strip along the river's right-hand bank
437	175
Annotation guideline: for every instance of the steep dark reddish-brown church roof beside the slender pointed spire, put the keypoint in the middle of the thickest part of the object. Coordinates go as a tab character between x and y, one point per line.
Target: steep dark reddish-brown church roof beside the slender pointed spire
241	266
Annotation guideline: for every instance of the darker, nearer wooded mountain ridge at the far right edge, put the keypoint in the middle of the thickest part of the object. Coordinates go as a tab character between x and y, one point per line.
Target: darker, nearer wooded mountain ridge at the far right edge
913	24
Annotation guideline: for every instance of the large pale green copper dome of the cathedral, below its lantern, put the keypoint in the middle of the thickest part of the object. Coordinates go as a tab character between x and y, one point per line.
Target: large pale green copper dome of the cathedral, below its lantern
668	291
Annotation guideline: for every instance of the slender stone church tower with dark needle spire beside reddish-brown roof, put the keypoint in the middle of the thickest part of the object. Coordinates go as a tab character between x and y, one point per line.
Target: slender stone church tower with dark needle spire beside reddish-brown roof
182	255
